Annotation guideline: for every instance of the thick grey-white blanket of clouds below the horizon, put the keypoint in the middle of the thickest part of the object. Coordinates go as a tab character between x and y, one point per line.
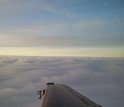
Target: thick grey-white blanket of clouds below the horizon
99	79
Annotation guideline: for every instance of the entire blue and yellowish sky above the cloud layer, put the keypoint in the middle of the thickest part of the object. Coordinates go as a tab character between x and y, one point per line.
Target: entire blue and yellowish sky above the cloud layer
88	28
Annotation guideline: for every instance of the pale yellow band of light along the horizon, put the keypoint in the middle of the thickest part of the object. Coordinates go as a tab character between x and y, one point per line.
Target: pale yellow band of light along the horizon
72	52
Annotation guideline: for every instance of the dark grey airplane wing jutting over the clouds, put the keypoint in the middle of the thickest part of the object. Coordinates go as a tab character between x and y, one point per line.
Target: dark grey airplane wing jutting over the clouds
59	95
